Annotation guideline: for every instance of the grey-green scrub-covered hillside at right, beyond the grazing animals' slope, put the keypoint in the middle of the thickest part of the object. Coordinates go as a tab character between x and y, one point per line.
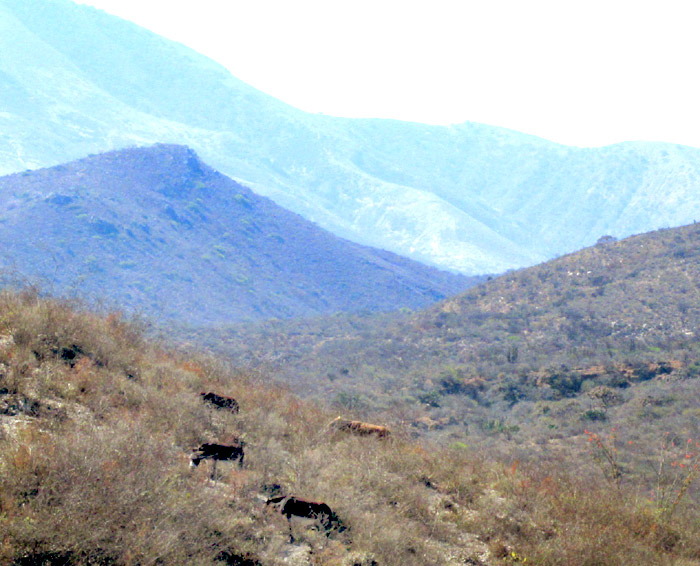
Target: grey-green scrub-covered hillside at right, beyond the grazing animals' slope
604	338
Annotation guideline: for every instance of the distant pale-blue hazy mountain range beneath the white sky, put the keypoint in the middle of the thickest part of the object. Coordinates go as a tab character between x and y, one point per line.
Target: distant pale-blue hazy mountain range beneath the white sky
469	197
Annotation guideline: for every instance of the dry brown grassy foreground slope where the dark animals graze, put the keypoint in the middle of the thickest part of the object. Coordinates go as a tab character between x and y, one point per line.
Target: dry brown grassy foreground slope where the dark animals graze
96	424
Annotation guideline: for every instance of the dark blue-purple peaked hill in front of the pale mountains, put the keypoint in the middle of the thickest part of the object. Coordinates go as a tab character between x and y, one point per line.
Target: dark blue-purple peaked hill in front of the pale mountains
157	231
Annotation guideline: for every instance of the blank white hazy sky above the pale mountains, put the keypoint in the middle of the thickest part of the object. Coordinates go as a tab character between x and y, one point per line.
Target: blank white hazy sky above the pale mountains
581	73
